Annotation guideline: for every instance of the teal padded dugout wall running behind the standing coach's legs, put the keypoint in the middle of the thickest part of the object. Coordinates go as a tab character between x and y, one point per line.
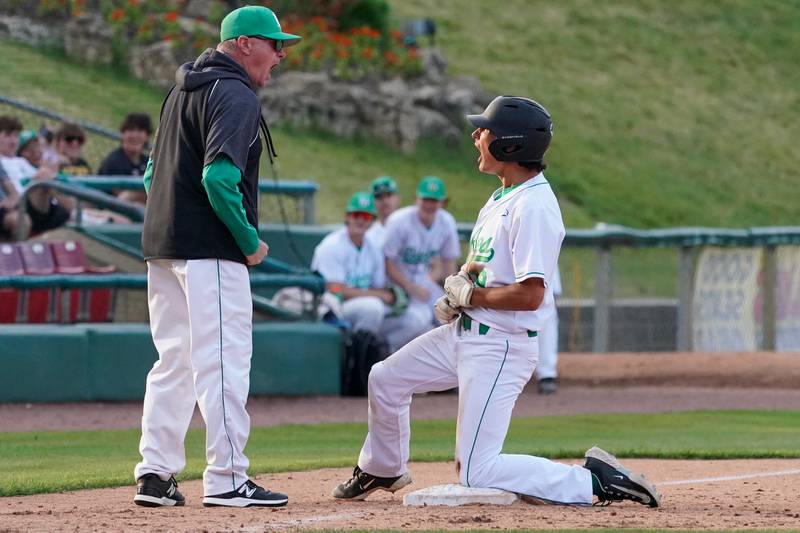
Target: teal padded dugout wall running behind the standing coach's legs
108	362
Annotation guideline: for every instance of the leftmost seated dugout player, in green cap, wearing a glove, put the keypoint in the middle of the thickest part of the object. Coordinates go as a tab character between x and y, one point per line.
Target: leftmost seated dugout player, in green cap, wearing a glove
353	268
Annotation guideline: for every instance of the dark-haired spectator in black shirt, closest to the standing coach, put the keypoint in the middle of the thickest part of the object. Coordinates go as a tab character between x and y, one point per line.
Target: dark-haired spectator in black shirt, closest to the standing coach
130	159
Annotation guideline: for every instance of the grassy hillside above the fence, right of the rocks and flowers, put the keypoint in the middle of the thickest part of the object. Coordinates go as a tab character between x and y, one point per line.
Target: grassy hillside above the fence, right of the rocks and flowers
666	113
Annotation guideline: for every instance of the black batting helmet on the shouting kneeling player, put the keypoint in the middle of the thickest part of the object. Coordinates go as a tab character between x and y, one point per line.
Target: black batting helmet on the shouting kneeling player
523	128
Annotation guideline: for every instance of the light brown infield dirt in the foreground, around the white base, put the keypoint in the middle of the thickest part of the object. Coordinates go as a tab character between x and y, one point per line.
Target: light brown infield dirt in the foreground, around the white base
693	503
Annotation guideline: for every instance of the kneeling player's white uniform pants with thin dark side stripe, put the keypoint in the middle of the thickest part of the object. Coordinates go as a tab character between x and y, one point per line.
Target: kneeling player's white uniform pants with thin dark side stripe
490	371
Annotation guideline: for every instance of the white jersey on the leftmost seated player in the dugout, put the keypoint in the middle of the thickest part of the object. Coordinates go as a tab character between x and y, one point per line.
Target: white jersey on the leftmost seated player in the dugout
341	261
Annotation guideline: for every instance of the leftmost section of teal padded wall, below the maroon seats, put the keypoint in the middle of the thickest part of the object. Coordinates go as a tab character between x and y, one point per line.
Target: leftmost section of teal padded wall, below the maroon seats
43	364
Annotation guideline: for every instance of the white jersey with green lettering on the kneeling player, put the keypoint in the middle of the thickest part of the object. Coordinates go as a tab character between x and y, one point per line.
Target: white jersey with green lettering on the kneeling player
518	236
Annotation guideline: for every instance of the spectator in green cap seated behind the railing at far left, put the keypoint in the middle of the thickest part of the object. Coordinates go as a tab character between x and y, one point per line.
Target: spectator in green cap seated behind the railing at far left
47	211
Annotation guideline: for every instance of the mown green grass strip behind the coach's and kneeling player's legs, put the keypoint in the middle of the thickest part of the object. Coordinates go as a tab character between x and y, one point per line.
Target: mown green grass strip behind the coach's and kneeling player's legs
55	461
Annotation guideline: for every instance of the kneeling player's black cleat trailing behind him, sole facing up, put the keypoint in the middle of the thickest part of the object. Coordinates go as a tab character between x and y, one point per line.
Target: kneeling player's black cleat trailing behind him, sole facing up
617	483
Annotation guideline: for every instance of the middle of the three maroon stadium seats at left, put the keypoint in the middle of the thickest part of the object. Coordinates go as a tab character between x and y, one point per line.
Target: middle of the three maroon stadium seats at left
42	304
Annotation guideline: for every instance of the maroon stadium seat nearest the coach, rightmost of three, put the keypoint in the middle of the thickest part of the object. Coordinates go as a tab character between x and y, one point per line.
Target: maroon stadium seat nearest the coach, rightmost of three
93	305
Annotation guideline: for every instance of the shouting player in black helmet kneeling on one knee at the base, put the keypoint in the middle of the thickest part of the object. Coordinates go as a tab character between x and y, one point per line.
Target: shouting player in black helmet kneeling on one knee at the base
492	312
